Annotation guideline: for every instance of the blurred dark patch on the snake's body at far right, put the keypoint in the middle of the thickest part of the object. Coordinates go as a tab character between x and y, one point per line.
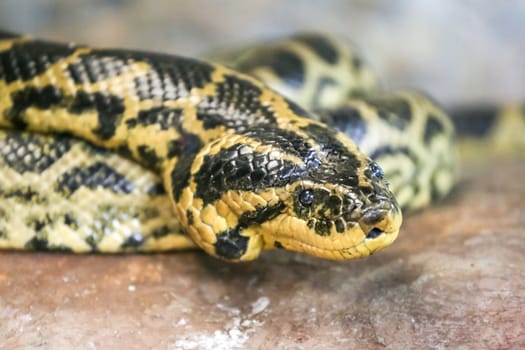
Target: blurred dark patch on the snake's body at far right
474	121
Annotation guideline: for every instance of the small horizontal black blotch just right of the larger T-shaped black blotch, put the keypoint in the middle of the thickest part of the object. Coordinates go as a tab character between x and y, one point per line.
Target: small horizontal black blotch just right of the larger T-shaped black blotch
165	118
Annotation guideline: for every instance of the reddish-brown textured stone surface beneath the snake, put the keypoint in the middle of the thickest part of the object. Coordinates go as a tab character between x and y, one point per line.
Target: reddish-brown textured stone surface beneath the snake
456	276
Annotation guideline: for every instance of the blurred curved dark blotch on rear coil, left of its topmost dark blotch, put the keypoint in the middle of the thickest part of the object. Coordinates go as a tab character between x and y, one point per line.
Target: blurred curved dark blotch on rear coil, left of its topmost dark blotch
286	64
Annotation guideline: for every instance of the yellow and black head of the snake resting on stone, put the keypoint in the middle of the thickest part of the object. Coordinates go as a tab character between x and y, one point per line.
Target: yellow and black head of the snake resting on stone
306	189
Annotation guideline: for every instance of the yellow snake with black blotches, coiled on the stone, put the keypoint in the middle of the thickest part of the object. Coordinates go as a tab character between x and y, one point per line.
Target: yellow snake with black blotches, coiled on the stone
289	144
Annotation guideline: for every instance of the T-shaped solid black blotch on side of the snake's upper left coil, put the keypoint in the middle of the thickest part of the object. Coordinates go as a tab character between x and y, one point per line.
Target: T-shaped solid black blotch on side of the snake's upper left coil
109	110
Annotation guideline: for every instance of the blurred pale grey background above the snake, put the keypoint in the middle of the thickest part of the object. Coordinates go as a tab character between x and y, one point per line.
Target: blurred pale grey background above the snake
459	51
